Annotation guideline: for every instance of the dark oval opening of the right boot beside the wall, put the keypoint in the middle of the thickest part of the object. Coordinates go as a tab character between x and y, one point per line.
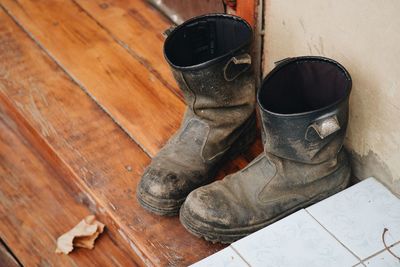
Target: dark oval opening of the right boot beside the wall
303	85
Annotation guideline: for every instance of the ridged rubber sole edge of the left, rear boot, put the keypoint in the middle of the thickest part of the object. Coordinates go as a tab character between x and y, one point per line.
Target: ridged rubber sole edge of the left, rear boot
170	207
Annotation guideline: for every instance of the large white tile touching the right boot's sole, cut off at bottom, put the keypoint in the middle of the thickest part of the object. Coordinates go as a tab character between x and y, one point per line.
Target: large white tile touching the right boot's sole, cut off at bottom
297	240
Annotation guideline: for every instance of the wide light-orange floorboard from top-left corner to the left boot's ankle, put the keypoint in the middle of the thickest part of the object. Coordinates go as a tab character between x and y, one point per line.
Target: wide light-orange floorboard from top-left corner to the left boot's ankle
137	100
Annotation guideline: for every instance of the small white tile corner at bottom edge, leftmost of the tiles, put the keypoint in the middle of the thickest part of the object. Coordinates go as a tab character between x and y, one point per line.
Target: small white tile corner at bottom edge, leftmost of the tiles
223	258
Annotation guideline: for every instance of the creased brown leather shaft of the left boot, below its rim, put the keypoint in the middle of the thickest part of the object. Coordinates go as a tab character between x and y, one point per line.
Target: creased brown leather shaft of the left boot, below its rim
222	105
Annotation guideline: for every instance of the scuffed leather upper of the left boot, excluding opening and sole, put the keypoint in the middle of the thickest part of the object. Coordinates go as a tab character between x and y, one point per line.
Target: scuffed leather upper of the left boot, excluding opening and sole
218	115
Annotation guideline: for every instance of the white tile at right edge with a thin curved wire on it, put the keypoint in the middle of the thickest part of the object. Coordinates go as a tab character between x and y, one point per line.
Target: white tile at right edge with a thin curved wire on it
358	215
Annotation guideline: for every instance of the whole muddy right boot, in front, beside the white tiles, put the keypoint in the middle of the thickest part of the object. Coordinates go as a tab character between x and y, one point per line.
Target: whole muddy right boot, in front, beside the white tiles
304	109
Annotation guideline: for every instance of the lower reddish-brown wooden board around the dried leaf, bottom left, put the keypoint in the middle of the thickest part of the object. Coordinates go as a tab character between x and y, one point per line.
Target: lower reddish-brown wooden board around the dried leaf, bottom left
35	209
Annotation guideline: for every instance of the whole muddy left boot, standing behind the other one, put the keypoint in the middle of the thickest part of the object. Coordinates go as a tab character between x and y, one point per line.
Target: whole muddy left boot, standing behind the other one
209	57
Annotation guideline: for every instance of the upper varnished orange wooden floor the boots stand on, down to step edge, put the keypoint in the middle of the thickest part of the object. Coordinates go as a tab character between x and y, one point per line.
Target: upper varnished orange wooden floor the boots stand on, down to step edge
63	63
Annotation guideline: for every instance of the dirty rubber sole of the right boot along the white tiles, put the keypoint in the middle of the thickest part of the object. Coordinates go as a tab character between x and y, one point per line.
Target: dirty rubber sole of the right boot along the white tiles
227	236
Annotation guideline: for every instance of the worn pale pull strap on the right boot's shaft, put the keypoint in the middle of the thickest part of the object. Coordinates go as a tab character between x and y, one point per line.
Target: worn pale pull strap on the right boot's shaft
323	127
